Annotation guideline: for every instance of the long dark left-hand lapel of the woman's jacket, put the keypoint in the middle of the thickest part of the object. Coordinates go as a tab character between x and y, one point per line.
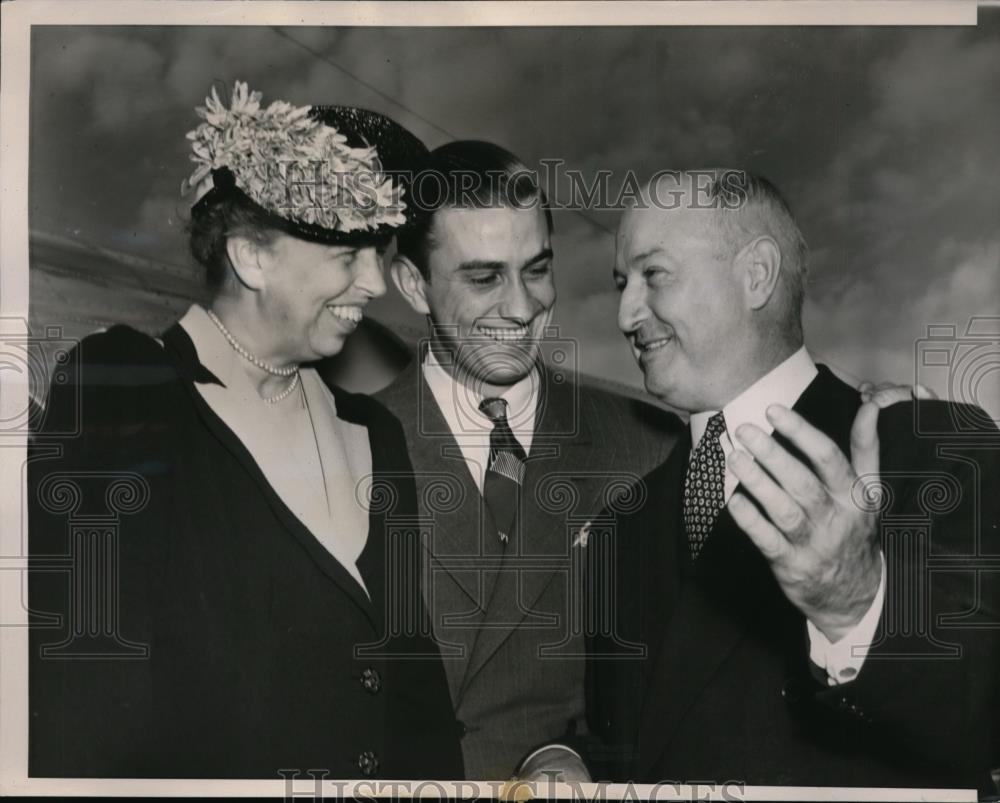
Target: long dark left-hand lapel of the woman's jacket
181	350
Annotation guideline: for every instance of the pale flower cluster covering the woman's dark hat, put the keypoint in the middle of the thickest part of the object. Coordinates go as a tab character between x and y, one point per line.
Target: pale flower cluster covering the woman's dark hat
291	164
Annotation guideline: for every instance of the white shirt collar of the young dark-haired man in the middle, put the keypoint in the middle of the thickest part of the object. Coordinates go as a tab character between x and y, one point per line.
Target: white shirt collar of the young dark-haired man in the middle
460	405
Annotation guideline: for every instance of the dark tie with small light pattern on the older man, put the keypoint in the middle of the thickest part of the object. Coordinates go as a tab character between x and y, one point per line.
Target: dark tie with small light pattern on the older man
705	485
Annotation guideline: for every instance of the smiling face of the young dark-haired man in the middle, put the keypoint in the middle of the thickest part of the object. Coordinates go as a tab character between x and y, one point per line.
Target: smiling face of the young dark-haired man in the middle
490	291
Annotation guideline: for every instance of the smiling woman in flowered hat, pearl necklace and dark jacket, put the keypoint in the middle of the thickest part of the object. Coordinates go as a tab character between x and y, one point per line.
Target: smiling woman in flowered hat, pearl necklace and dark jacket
237	608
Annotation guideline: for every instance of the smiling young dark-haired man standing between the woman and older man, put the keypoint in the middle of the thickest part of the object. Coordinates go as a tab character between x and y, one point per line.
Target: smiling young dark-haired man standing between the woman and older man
512	455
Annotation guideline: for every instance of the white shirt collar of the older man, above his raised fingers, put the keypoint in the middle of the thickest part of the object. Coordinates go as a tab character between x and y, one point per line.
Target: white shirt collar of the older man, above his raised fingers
782	385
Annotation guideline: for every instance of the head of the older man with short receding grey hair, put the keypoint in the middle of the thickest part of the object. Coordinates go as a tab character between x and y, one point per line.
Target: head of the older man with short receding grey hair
710	266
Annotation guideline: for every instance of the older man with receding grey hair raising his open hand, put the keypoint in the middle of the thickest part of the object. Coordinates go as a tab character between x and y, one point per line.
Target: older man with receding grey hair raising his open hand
799	622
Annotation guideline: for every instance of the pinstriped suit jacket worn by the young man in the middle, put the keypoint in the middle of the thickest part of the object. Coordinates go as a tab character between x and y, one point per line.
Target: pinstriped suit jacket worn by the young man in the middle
509	624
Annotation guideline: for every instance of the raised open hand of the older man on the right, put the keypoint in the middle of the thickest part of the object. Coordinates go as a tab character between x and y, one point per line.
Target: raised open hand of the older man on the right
819	534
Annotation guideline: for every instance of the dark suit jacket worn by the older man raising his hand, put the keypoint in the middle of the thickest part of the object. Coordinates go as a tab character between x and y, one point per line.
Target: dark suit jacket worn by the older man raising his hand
726	690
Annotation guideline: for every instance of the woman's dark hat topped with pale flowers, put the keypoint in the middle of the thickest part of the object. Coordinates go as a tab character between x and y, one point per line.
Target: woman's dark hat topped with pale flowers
331	174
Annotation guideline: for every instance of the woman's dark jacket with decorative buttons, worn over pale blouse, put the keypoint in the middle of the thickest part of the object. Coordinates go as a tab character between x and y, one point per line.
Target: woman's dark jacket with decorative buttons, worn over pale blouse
225	640
